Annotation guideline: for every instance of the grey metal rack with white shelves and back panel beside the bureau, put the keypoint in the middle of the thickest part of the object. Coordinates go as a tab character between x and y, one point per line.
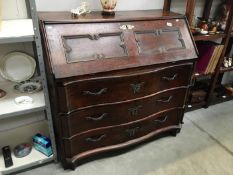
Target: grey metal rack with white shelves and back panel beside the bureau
18	124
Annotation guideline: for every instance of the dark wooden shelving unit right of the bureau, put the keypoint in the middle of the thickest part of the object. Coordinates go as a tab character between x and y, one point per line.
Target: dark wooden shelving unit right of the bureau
211	84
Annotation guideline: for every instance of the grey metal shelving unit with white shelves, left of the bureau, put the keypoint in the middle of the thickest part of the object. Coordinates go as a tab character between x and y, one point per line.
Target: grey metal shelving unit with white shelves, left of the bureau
24	31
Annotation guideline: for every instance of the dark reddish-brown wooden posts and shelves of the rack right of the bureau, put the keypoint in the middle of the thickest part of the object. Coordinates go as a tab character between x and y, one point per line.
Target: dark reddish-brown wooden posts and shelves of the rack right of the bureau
215	77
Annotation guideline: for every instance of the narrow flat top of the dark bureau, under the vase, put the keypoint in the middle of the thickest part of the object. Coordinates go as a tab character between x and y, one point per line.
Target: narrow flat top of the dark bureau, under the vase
53	17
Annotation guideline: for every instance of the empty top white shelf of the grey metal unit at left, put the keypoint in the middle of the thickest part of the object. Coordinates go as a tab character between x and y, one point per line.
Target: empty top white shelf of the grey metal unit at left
20	30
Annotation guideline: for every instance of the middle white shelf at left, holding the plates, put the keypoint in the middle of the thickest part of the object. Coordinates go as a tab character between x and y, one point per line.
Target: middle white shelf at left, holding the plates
8	106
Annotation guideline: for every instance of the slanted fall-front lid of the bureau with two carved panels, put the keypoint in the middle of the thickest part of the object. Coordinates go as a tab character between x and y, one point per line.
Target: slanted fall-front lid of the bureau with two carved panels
141	50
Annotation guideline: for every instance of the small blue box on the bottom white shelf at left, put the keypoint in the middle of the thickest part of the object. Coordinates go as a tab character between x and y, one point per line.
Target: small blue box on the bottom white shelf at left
42	144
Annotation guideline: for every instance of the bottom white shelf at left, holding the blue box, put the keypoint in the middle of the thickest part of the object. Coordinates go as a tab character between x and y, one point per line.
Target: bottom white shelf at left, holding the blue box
35	158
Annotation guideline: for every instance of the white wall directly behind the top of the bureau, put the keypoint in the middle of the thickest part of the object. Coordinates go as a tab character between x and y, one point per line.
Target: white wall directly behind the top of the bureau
66	5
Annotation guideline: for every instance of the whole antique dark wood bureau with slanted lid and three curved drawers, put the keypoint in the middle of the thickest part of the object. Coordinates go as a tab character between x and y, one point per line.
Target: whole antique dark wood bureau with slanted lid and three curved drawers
115	81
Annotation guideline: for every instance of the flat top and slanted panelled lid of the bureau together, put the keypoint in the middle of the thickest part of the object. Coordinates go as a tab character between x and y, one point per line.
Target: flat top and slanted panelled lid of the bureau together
96	44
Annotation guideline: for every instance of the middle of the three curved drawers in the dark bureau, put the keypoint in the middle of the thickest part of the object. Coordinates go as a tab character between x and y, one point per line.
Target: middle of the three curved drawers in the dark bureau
120	113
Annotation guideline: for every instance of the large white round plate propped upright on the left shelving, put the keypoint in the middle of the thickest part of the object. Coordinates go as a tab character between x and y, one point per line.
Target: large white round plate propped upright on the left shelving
17	66
